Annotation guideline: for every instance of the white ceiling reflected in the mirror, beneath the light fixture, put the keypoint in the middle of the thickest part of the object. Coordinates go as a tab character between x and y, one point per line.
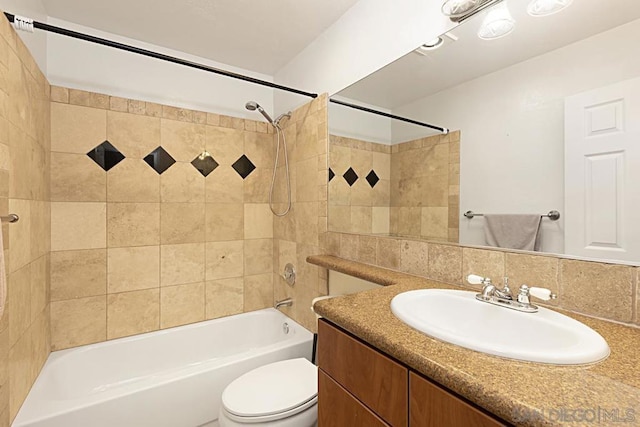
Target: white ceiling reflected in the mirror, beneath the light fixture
414	76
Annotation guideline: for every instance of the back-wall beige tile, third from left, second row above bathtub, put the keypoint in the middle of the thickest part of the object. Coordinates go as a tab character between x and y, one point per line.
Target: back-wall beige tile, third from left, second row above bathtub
180	264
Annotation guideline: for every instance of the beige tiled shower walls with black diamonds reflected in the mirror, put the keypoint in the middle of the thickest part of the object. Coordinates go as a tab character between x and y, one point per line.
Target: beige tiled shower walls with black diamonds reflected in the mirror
409	189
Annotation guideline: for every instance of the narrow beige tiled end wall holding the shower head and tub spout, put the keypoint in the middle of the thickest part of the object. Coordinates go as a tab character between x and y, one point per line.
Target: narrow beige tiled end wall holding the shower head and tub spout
302	232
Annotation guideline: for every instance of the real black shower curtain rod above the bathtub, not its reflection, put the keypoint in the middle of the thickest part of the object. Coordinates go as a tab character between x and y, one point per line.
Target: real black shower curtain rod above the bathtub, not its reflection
163	57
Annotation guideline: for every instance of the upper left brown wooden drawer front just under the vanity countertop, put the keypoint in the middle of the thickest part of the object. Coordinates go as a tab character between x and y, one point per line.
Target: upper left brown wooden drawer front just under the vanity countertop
373	378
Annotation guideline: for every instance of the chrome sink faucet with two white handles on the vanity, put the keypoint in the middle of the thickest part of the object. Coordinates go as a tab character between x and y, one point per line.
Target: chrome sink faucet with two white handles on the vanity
503	297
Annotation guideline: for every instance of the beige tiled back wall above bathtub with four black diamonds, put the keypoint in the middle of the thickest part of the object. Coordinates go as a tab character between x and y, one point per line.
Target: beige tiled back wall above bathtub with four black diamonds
136	249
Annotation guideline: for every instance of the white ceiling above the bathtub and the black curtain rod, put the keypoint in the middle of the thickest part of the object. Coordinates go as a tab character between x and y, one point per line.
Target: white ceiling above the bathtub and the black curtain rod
260	36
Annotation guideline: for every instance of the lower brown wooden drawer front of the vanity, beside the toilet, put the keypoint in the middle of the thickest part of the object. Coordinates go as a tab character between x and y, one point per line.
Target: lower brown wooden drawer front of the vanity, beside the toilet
338	408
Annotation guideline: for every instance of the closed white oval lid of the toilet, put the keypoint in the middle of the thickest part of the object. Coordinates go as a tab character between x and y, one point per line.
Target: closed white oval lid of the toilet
272	389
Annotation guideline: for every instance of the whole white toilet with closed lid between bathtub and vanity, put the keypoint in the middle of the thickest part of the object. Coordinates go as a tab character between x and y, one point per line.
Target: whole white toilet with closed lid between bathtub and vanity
280	394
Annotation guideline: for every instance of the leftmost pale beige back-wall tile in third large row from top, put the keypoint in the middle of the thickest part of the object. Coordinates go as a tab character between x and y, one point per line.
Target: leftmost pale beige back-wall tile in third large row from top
78	225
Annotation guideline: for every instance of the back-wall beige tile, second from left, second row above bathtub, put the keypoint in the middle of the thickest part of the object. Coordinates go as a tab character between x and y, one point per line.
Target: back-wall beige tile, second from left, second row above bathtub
132	269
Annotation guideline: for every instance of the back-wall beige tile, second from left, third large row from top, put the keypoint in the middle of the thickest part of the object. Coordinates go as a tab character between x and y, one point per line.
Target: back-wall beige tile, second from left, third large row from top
133	224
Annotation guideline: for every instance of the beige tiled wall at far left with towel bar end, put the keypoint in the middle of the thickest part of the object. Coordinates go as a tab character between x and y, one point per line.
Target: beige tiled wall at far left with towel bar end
24	190
